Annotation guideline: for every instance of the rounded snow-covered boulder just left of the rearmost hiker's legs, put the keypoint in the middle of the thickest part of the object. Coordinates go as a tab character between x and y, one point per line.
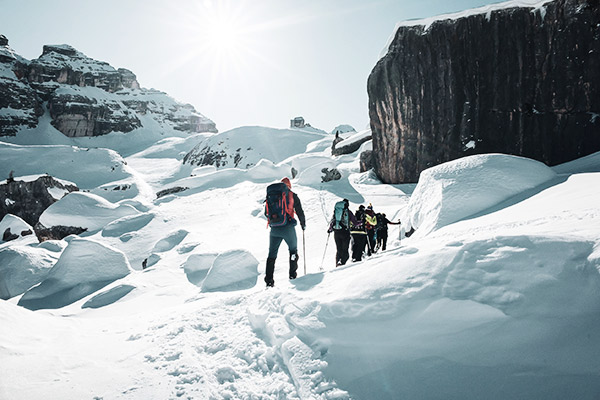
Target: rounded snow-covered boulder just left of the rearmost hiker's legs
233	270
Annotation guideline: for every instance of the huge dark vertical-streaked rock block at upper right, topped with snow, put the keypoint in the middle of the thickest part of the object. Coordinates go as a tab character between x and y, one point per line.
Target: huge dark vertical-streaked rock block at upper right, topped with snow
517	81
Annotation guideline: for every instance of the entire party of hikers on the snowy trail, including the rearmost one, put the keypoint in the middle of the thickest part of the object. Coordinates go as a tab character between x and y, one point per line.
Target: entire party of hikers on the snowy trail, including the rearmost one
364	228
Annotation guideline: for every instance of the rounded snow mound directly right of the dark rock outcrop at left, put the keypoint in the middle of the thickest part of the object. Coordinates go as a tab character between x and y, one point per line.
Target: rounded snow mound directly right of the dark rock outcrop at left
85	210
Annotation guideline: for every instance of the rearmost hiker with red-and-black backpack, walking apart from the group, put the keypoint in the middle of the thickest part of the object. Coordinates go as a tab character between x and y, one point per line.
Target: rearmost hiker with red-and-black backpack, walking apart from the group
280	205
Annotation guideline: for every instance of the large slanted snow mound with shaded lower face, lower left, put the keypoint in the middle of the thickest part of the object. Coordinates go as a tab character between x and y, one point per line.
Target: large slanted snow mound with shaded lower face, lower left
84	267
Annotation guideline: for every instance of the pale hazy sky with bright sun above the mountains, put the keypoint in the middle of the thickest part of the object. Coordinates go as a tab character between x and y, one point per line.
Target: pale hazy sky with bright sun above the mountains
259	62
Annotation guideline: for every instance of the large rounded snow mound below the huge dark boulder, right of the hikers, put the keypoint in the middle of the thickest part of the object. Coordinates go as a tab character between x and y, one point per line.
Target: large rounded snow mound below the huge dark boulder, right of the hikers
458	189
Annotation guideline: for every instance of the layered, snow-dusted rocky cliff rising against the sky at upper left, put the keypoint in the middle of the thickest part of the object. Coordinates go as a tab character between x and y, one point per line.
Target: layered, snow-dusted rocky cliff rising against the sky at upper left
83	96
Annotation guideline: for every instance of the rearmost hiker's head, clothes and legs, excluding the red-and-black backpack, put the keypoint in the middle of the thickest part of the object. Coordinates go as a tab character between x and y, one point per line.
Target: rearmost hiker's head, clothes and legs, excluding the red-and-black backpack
286	232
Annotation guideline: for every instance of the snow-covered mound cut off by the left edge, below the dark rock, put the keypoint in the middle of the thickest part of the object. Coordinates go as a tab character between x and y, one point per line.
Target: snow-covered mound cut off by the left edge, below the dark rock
21	267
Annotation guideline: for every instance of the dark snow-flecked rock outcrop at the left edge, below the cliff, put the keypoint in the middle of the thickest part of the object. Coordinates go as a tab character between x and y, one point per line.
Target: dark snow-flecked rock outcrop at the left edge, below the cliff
28	200
